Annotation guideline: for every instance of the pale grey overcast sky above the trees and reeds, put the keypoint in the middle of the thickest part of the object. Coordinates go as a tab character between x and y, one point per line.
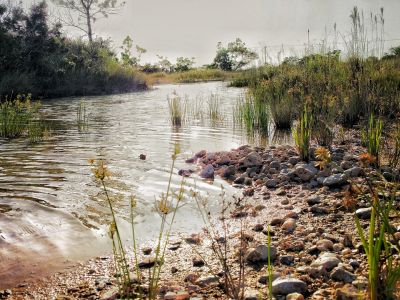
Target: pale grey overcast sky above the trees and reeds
192	28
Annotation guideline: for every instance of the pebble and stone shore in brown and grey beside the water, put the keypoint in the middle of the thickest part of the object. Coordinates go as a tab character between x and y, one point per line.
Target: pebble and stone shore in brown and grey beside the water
315	249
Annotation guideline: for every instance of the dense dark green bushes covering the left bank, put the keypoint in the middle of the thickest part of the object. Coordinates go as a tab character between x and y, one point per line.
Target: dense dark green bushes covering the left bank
35	58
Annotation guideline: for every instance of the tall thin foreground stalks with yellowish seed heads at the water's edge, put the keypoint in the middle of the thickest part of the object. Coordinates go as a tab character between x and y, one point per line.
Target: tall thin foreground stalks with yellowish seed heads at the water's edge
167	206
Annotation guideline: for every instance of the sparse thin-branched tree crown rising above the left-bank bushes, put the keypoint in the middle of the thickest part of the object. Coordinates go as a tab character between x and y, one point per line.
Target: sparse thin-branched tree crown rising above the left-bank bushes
81	14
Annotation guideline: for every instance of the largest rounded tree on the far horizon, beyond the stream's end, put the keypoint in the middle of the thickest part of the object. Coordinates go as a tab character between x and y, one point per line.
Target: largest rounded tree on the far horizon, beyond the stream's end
233	57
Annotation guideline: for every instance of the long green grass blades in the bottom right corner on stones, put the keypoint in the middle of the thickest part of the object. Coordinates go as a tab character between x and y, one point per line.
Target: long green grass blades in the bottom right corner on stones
380	243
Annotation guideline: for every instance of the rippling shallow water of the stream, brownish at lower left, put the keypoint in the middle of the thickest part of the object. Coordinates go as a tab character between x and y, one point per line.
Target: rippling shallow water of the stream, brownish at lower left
52	211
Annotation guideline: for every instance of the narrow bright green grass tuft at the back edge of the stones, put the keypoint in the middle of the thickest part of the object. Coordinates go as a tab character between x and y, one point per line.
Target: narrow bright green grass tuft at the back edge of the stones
302	134
